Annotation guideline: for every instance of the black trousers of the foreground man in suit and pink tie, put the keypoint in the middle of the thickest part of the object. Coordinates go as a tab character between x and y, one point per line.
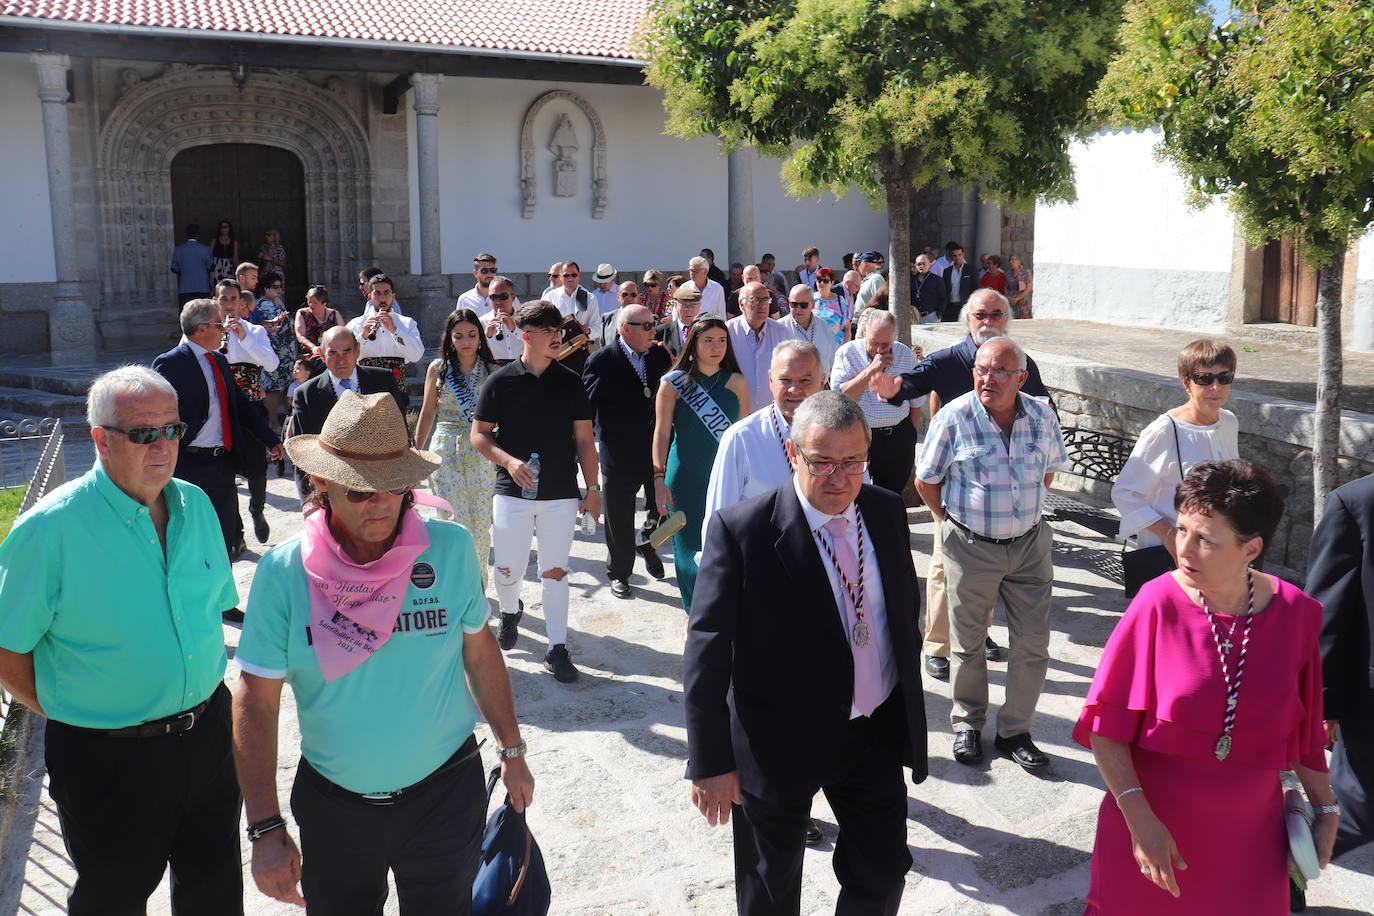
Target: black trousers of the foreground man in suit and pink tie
870	803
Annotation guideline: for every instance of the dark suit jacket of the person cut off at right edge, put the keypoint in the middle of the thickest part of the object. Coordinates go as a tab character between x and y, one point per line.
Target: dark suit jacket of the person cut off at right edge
1342	576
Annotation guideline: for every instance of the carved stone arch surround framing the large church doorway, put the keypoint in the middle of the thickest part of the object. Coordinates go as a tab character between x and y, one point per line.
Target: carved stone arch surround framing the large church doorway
190	106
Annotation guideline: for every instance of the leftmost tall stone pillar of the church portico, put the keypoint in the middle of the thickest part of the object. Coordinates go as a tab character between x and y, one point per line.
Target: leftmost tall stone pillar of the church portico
71	323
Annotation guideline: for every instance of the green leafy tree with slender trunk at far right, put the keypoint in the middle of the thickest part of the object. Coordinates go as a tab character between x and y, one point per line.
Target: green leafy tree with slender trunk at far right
1273	109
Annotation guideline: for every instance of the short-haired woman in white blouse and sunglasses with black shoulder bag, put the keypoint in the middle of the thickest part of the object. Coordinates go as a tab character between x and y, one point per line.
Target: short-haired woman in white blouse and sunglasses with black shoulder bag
1199	431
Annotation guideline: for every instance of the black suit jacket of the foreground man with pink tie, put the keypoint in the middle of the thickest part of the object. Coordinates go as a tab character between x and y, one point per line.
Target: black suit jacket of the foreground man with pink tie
769	671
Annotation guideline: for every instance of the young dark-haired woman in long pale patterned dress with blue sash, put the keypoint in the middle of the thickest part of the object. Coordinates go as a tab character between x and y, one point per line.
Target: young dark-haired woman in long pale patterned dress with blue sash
451	387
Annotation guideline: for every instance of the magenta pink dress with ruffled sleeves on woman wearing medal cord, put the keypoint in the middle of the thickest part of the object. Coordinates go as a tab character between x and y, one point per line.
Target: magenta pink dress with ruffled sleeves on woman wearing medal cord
1160	689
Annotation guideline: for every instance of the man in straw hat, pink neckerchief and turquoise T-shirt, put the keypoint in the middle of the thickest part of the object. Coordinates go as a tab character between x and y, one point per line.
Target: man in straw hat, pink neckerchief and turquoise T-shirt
377	620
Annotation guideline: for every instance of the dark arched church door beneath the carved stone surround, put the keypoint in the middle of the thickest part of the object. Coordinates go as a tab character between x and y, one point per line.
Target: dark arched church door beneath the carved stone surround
256	189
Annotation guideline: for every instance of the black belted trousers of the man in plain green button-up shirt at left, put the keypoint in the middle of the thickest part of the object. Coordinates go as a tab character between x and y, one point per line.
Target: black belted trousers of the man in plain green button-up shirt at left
133	805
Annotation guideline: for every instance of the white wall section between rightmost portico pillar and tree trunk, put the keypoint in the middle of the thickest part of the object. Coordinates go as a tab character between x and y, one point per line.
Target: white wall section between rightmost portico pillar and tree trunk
785	226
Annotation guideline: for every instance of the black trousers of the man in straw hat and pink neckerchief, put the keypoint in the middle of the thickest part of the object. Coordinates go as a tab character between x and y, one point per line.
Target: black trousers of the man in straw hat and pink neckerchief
431	840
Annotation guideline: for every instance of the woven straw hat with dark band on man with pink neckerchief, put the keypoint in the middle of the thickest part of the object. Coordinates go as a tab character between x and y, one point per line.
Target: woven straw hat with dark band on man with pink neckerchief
365	447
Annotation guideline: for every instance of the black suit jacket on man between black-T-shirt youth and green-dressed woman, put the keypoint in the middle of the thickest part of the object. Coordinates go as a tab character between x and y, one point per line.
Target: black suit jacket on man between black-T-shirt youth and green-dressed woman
624	417
